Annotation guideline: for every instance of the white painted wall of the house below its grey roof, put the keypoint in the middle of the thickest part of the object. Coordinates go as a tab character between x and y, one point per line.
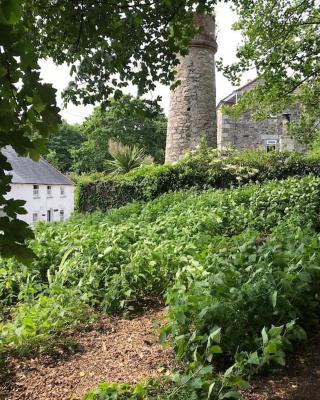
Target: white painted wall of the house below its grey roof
44	202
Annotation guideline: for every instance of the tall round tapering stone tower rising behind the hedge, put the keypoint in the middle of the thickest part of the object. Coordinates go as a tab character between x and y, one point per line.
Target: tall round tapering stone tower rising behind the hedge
192	112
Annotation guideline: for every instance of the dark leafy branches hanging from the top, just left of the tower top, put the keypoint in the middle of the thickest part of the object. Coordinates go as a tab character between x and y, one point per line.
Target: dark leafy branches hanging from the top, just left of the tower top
110	43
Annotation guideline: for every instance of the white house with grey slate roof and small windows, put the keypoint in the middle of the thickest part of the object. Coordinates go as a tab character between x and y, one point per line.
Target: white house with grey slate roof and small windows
49	195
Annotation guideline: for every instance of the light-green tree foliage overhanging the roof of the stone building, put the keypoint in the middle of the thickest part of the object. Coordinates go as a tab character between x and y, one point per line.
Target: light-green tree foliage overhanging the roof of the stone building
282	42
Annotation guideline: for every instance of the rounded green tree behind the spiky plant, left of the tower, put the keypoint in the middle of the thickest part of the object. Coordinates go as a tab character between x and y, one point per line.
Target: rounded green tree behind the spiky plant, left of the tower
131	121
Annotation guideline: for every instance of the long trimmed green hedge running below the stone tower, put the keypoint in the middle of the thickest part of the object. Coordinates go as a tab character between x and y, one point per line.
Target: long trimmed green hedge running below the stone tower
198	171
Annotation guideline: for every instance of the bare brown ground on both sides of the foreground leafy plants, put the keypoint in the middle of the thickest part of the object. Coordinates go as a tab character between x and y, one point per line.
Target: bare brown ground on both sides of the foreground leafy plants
128	350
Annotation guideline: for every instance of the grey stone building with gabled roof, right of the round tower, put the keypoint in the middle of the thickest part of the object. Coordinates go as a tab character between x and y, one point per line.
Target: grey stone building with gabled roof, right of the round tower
270	134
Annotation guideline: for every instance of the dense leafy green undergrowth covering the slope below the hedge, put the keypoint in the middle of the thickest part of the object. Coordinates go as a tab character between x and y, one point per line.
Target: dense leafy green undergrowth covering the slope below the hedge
239	270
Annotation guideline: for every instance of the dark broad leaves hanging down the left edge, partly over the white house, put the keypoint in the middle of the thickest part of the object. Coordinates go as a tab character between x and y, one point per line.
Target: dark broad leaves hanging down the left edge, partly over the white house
27	114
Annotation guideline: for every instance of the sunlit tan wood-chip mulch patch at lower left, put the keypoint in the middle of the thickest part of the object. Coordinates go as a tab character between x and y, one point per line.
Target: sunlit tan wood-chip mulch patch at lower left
116	350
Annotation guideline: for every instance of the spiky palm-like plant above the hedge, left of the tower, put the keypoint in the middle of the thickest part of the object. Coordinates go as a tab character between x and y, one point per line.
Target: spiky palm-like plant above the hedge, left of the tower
125	158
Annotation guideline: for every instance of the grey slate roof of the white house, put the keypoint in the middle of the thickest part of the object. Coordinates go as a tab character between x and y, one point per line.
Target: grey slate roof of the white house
25	170
